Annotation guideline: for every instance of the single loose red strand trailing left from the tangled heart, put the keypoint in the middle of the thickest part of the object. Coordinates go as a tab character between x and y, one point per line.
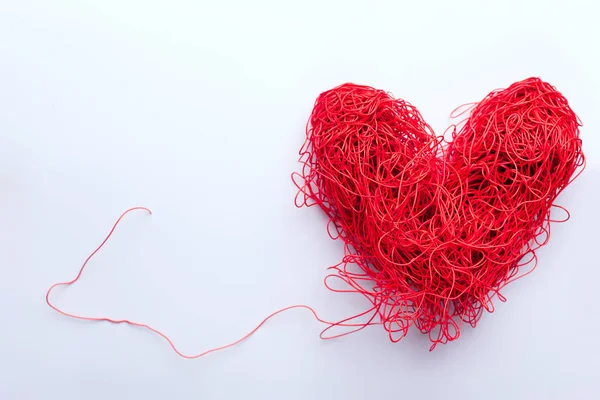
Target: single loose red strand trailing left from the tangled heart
343	323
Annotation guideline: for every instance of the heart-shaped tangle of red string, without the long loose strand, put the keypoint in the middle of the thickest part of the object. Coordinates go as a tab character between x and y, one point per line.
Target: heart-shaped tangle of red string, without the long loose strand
437	228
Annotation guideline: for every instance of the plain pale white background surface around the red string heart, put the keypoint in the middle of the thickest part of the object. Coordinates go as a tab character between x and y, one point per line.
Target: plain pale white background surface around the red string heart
197	110
